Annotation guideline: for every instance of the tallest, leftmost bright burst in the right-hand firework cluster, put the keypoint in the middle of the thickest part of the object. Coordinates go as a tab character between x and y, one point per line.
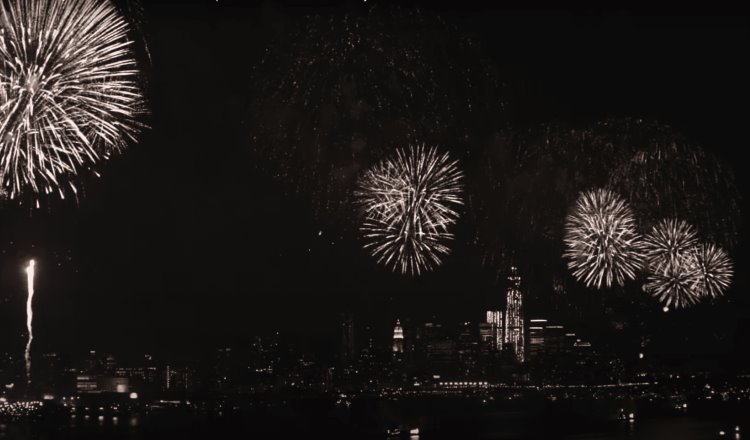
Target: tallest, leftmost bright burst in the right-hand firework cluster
602	244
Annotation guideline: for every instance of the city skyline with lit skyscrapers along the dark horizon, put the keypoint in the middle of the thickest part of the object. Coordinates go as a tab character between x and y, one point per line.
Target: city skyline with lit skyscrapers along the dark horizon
506	333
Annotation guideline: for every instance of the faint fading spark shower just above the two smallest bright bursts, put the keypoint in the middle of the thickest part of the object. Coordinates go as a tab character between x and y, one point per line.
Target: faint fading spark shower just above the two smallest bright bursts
669	176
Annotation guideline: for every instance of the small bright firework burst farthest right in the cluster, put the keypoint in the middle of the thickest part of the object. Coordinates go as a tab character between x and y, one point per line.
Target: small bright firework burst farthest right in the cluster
714	270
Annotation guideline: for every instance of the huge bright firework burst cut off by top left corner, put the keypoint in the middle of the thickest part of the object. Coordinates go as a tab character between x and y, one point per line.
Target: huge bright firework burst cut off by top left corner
69	95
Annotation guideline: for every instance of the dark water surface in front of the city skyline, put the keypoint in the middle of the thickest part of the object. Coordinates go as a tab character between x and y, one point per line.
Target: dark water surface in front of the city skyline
435	418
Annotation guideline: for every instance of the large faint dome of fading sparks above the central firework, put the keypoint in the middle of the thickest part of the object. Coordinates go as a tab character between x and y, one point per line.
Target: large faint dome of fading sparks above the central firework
338	93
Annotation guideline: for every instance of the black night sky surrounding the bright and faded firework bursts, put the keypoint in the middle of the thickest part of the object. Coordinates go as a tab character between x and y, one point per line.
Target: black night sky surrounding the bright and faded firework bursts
181	244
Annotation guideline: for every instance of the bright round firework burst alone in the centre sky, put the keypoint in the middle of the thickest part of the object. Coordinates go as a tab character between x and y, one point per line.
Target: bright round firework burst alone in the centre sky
408	204
